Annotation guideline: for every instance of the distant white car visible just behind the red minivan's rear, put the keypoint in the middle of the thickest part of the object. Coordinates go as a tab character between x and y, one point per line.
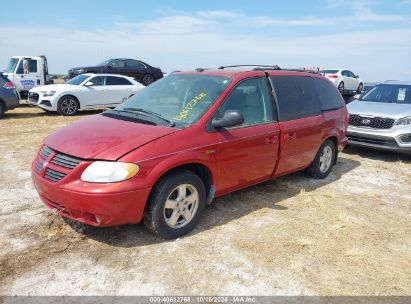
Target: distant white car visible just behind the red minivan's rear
345	80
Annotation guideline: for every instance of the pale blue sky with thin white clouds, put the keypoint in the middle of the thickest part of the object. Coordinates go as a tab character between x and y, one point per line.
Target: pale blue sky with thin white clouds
372	38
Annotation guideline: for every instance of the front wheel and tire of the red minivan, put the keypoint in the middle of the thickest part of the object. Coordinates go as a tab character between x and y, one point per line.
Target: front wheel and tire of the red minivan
156	213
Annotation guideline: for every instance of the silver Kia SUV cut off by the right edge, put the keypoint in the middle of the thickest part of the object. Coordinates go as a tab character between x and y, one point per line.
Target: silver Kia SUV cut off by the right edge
381	118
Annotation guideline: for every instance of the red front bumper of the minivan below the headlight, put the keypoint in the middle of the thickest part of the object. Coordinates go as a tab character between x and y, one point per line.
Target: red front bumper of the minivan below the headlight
92	204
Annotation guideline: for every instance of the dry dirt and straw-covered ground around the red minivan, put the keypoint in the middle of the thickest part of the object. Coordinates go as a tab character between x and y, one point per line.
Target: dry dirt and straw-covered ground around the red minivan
349	234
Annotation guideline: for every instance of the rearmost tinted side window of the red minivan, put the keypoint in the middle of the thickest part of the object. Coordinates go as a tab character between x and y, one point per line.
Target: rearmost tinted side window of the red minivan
329	98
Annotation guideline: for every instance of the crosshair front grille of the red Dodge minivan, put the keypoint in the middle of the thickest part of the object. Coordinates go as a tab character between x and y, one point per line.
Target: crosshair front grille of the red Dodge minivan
59	160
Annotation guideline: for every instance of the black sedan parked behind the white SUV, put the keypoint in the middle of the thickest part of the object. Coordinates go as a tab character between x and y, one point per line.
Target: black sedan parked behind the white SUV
137	69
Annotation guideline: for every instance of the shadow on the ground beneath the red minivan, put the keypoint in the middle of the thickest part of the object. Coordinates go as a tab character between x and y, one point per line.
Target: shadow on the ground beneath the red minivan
224	209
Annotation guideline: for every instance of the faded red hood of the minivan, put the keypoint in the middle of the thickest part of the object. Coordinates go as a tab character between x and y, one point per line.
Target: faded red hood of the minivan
100	137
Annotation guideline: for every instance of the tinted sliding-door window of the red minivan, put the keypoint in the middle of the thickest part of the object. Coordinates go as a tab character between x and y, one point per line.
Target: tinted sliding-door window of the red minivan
296	97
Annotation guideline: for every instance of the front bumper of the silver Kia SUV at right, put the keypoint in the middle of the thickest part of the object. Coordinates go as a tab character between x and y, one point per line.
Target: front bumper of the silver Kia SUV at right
397	138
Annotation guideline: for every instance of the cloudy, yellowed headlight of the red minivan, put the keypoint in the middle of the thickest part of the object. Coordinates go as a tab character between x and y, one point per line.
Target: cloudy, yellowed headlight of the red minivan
109	172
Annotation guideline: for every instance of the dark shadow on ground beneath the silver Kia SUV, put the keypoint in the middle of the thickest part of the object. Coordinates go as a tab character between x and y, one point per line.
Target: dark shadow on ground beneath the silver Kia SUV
386	156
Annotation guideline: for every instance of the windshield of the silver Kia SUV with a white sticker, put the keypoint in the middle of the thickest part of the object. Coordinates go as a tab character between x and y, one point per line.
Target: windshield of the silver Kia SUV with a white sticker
392	93
